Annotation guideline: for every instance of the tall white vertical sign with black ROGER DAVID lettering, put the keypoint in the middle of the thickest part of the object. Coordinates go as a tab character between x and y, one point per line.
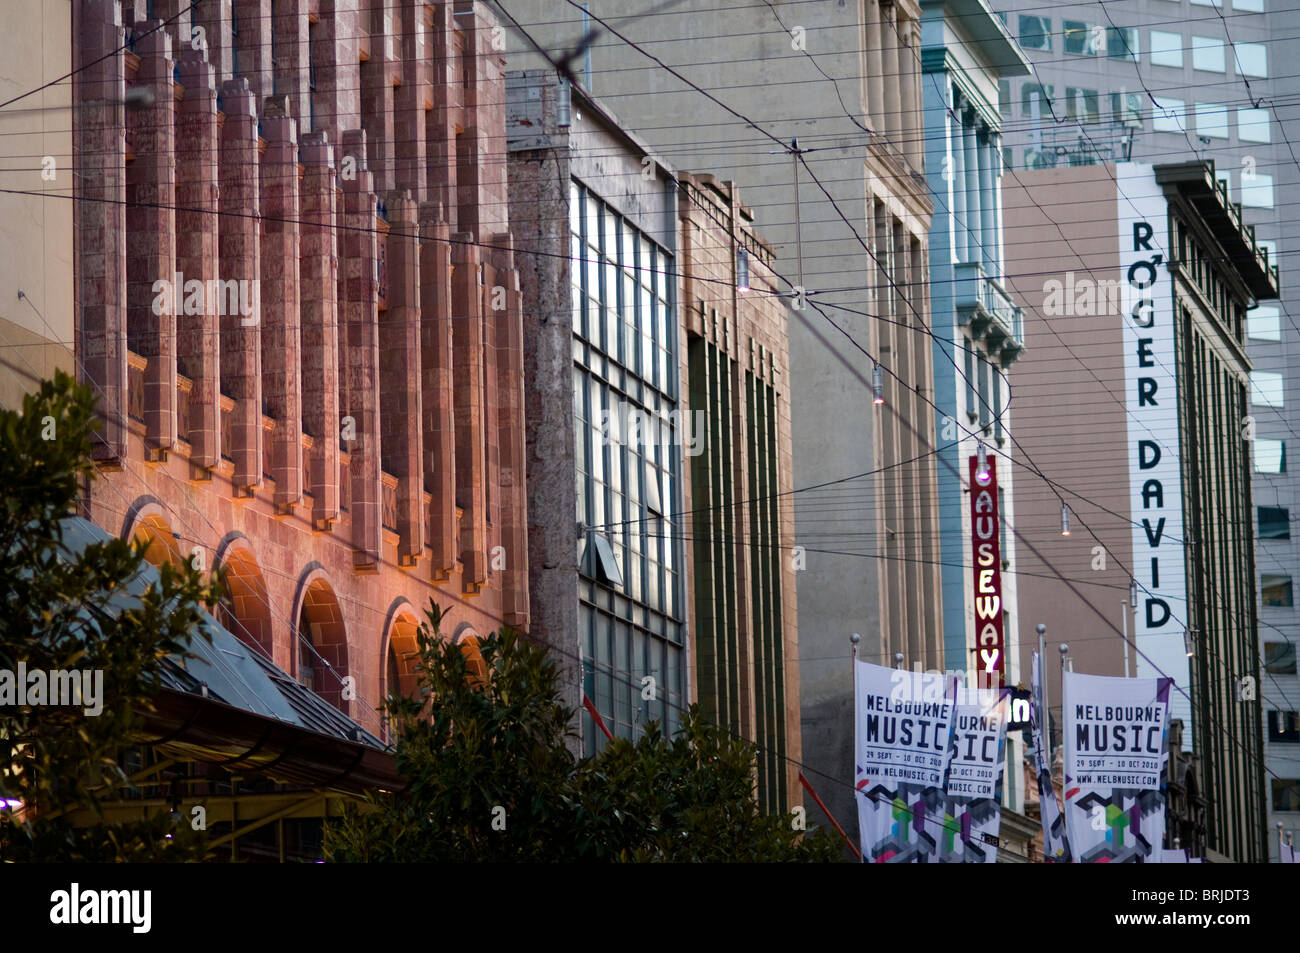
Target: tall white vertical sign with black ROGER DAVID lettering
1151	400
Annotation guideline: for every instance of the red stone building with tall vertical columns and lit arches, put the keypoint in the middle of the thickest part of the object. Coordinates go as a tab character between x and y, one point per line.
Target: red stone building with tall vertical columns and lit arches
296	289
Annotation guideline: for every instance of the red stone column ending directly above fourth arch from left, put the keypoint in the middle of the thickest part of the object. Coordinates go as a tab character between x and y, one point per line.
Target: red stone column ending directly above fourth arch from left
400	385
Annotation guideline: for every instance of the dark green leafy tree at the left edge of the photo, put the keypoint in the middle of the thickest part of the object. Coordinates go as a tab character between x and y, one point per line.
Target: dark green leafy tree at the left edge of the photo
83	612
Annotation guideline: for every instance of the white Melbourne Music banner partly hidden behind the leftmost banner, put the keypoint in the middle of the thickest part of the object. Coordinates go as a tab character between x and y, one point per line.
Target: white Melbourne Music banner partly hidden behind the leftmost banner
973	807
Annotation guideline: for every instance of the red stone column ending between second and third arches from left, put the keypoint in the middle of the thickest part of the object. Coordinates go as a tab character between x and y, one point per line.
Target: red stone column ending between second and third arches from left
281	335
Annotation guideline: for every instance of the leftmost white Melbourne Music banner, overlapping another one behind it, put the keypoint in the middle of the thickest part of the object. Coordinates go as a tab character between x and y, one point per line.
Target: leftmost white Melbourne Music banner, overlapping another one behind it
903	725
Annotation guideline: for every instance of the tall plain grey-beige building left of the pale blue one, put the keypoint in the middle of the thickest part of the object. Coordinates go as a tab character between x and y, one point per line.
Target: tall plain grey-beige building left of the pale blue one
835	171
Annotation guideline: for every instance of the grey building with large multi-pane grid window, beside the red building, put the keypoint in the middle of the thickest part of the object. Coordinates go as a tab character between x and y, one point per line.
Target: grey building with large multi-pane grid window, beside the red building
606	427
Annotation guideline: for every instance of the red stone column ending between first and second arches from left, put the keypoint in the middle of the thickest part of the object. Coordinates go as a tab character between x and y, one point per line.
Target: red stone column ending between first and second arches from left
197	254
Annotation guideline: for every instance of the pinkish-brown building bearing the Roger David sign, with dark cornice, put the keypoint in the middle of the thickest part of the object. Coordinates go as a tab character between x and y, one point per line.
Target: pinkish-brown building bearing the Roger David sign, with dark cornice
1145	428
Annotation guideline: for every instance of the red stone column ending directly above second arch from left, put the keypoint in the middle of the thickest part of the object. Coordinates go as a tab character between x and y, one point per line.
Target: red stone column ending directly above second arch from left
241	340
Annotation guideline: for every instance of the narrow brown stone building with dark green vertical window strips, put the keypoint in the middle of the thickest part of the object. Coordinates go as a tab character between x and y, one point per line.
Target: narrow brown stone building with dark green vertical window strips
739	518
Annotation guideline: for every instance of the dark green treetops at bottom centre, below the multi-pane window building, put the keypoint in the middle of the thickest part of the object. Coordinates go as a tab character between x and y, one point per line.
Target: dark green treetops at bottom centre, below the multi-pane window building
489	778
